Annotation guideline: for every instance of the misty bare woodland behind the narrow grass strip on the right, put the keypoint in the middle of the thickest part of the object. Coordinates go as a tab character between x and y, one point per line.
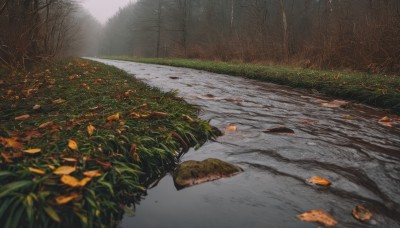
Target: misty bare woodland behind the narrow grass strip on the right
355	34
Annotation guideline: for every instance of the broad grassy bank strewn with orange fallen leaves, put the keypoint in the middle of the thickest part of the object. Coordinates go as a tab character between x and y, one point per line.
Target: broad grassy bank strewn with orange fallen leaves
80	140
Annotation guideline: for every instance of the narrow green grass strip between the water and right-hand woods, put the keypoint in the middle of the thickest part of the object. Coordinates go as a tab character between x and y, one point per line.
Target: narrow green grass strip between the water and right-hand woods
376	90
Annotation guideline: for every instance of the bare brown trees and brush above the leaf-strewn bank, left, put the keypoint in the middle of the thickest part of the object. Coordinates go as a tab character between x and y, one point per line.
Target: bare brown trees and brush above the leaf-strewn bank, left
37	30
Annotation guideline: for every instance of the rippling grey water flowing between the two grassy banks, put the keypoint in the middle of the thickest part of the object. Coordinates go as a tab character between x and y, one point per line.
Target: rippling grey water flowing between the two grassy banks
345	145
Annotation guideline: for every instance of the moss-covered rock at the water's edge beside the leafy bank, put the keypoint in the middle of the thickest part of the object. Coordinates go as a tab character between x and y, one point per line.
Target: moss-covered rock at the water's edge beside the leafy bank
192	172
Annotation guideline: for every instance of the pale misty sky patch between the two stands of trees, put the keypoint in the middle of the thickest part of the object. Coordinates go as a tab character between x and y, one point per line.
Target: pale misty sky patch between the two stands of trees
102	10
